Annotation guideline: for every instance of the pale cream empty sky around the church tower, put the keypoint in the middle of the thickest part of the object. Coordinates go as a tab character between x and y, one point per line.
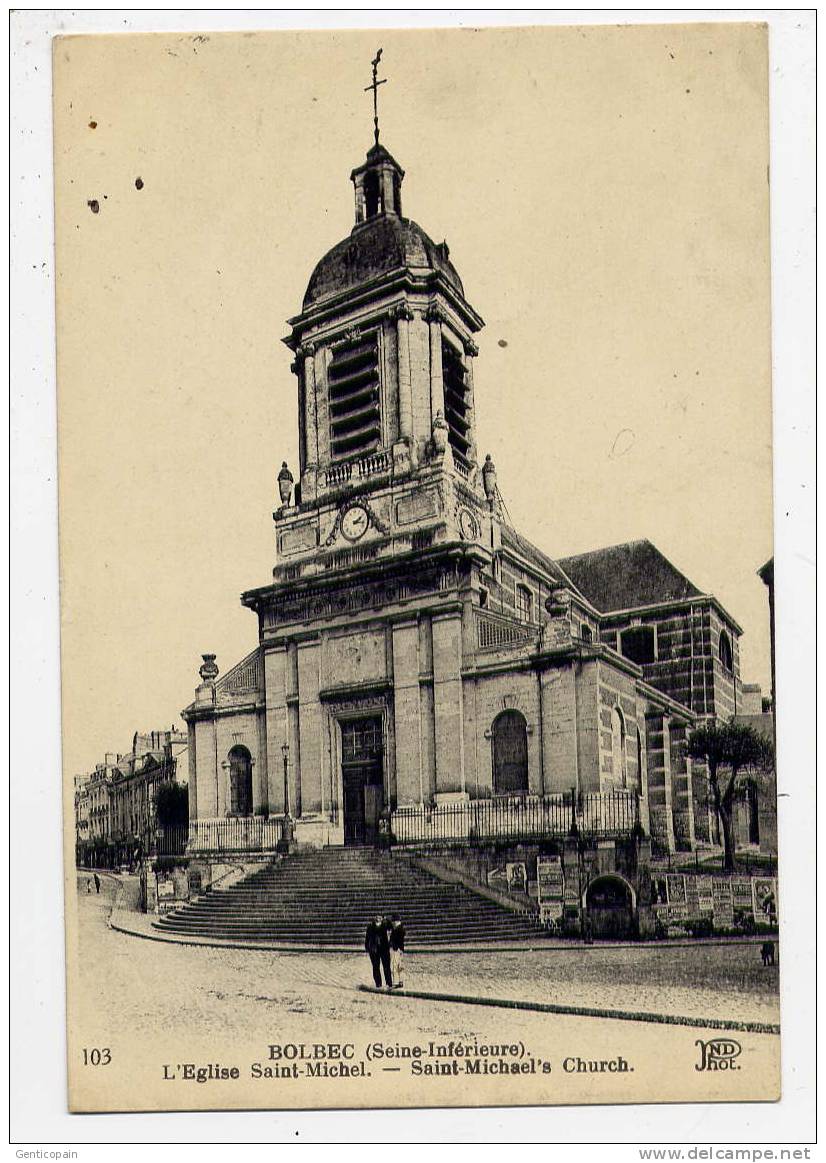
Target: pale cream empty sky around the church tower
604	192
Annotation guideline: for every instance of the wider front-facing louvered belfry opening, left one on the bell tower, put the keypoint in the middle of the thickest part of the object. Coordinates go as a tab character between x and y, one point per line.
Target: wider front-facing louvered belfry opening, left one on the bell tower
354	398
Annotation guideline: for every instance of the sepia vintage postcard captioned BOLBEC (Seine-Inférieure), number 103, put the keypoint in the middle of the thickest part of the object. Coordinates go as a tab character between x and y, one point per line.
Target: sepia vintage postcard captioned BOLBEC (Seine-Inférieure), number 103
417	595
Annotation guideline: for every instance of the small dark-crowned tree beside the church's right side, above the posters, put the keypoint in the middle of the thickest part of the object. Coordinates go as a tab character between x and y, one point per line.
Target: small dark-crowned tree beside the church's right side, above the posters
731	752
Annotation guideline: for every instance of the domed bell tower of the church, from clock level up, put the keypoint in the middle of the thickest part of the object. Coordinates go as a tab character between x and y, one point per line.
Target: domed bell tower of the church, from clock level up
384	366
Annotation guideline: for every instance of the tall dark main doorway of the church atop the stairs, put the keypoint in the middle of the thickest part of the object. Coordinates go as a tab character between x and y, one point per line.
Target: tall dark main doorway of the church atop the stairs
362	768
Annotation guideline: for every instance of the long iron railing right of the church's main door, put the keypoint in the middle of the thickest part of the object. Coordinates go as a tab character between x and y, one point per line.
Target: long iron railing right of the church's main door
593	815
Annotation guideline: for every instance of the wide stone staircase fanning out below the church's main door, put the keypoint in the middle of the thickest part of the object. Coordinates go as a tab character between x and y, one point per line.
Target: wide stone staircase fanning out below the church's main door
326	897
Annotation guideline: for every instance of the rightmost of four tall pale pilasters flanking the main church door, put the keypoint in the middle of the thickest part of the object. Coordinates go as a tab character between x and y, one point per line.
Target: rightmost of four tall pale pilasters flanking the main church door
450	719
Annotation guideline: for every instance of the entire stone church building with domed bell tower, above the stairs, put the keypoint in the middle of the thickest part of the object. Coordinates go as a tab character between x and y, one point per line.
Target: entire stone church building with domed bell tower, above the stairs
424	674
